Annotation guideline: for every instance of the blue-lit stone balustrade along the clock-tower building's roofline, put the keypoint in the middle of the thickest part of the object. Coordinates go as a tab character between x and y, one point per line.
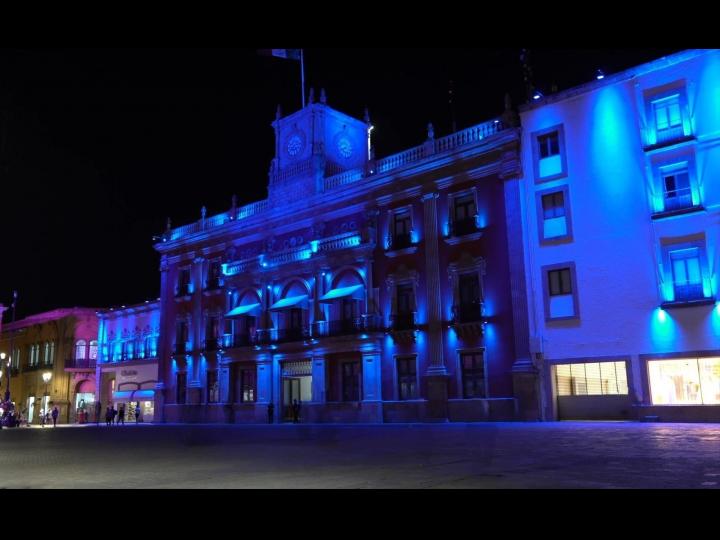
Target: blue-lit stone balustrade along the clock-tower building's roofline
467	136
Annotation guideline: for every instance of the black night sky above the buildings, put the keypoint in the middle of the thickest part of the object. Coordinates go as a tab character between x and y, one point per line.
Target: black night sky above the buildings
100	146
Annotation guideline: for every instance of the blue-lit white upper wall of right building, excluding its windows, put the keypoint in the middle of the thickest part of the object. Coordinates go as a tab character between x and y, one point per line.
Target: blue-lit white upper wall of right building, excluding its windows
618	243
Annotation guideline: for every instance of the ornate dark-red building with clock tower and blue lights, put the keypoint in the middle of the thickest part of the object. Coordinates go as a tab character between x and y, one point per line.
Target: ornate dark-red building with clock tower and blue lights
367	290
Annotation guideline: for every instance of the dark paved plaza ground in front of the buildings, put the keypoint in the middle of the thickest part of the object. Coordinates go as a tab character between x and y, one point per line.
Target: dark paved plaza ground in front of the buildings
503	455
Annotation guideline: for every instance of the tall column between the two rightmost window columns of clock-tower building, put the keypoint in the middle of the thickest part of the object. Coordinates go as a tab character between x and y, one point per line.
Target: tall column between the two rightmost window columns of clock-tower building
436	374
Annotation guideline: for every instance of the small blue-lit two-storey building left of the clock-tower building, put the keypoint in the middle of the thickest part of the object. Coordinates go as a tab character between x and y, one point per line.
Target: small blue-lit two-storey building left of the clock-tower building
127	367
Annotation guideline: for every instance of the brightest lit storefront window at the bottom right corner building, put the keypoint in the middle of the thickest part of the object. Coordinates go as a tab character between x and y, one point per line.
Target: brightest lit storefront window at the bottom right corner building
688	381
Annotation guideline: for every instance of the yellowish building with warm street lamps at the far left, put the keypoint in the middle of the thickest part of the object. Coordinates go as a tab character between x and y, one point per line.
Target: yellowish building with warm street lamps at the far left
63	343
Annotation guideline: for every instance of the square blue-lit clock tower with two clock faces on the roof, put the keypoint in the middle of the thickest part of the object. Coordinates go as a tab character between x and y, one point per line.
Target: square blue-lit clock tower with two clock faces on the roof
314	143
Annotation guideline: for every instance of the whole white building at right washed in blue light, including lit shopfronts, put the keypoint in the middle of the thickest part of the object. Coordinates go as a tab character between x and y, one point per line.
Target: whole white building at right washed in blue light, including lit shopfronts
621	214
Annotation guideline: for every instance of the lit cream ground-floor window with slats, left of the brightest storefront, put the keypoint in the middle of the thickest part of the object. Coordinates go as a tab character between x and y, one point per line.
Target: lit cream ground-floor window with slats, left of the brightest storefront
591	379
